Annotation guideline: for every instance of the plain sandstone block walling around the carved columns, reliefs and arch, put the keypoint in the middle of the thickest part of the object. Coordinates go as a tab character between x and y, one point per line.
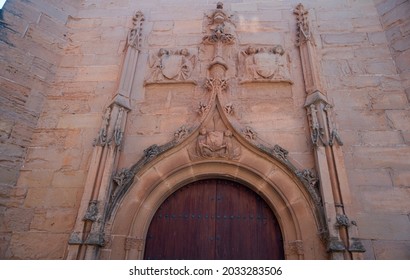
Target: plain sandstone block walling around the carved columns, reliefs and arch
62	65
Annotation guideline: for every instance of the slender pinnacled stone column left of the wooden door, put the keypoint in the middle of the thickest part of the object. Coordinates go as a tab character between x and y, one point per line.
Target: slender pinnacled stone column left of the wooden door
88	233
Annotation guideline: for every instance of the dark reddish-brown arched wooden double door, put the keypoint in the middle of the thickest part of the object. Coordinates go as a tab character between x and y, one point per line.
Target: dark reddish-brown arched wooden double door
214	219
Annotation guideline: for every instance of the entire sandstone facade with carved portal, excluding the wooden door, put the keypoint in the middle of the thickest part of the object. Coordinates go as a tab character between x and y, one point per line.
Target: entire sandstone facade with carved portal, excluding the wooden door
103	100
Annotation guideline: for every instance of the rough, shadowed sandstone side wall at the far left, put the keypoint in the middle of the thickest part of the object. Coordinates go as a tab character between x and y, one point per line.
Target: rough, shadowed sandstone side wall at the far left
33	36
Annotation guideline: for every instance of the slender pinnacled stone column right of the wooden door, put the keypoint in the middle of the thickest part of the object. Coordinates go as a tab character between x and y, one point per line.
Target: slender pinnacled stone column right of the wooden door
342	242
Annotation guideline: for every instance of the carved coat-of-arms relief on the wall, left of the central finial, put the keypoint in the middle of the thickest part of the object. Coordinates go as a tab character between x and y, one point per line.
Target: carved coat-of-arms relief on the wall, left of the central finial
171	66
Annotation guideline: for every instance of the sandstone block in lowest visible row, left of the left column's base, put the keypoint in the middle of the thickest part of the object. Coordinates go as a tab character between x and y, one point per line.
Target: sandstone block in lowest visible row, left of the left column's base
31	246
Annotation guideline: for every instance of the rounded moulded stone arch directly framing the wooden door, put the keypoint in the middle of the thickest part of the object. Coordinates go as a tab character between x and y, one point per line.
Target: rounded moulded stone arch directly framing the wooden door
274	182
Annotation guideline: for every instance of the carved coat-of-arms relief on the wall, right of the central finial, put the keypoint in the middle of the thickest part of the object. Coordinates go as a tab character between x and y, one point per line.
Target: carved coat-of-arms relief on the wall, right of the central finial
266	64
